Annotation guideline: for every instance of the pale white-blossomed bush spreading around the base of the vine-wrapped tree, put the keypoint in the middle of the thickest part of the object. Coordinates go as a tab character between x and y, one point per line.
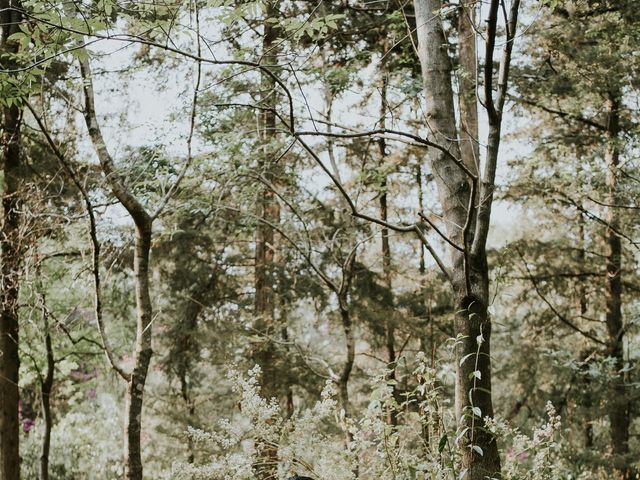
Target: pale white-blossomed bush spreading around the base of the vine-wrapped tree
314	442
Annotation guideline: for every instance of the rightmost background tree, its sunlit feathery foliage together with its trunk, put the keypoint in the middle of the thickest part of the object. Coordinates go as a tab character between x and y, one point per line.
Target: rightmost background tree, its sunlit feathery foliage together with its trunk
584	125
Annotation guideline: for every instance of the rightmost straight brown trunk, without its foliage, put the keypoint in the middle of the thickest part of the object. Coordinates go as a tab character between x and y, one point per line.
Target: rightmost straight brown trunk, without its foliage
618	400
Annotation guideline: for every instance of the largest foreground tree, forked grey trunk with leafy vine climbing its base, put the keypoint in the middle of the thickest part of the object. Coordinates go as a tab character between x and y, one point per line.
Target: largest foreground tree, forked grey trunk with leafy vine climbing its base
466	199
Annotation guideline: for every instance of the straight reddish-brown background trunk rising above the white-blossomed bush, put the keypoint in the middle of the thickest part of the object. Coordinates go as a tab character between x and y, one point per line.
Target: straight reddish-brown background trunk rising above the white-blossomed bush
265	352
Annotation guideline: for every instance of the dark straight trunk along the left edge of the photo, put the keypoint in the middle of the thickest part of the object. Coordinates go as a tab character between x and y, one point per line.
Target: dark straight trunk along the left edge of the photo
11	252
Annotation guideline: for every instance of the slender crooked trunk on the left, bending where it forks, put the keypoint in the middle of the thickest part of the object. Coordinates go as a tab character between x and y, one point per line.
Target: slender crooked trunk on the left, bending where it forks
143	221
